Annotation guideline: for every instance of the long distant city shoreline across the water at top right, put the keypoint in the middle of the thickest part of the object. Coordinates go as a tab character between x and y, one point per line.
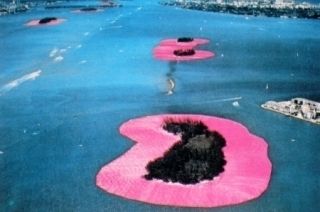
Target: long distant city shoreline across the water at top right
308	11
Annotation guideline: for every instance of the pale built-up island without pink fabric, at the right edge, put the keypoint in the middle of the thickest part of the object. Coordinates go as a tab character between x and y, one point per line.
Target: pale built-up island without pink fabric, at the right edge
300	108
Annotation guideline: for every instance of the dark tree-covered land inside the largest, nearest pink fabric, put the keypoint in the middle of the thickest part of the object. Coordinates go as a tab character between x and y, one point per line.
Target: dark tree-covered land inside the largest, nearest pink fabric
196	157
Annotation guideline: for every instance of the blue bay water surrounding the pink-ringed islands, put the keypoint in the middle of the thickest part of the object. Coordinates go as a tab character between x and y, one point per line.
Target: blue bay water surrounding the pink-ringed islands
58	127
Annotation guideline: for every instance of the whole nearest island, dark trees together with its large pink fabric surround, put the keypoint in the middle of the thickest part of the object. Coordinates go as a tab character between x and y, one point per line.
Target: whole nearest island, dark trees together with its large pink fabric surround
189	179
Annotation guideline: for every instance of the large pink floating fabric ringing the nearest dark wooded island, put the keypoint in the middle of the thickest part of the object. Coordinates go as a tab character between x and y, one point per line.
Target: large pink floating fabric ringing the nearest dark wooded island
246	176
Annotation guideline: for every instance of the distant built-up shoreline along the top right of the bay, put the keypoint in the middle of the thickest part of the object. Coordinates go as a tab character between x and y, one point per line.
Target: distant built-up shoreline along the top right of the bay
270	8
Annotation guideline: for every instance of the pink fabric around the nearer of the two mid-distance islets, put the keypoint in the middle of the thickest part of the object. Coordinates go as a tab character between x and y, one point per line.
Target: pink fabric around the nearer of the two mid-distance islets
167	53
